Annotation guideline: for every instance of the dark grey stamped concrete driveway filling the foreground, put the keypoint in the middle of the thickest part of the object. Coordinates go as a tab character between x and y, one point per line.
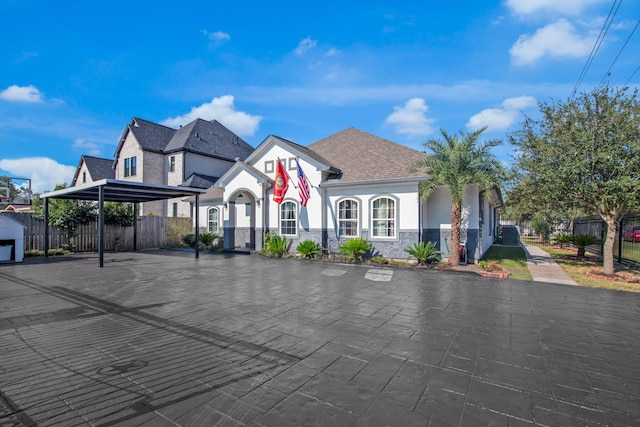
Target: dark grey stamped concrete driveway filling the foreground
159	338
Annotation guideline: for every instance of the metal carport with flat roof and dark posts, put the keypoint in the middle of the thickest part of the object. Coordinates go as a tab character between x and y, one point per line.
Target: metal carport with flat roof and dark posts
111	190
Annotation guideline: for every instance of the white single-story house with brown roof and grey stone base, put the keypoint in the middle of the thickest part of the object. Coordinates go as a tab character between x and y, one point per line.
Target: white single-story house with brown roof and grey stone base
361	185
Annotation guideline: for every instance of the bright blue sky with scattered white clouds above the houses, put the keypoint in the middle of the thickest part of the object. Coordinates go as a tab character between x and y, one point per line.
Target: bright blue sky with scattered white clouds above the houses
74	73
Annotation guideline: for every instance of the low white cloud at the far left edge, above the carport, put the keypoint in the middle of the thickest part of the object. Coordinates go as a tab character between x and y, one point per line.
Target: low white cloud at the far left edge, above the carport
45	173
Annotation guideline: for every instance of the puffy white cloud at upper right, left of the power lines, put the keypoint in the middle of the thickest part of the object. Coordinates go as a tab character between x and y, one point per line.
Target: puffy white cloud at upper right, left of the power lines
558	39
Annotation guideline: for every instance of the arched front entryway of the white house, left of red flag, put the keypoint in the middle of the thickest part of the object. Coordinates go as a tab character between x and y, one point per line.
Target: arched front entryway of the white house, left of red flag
240	228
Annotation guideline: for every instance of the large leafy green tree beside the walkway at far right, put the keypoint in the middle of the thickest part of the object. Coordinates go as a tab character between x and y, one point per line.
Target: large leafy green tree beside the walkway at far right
584	153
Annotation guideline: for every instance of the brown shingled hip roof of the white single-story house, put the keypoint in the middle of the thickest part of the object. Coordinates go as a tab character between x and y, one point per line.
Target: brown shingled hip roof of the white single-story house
362	157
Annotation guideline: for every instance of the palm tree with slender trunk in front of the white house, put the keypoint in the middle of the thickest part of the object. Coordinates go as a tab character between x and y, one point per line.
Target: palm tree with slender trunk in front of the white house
456	162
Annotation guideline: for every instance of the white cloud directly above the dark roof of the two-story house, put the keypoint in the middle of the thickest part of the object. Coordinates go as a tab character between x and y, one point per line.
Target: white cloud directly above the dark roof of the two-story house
222	110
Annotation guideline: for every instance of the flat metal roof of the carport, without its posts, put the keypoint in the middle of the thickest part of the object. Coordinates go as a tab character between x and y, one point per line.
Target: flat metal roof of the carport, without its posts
123	191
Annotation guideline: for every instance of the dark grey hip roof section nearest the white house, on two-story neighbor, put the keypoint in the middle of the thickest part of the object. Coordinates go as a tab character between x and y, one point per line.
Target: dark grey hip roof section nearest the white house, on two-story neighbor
209	138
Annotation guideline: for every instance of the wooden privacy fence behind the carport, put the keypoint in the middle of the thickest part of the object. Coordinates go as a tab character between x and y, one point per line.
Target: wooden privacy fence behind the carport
151	233
